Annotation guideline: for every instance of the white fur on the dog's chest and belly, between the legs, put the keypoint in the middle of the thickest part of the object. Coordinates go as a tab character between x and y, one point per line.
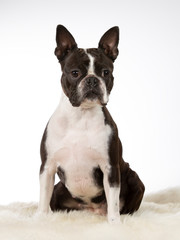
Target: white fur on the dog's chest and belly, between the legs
77	141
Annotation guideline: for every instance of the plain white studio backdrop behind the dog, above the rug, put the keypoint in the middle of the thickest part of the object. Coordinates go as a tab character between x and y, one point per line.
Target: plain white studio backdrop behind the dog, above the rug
145	101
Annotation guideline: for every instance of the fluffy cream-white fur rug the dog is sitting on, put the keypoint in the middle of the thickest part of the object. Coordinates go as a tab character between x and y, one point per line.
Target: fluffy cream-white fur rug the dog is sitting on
157	219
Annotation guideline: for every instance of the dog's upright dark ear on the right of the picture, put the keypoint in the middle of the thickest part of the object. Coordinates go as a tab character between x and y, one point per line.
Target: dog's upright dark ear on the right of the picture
109	43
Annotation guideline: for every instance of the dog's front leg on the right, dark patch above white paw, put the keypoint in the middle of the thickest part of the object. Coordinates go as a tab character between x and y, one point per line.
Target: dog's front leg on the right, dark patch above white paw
112	191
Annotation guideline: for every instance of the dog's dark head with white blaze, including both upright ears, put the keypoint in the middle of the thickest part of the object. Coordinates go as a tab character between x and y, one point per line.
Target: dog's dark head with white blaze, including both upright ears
87	77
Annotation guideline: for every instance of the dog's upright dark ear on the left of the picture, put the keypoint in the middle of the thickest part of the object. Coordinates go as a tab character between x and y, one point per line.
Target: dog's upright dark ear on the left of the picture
65	42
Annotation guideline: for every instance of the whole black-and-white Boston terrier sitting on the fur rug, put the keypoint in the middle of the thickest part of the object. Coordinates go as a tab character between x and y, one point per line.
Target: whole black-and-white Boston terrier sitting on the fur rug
81	142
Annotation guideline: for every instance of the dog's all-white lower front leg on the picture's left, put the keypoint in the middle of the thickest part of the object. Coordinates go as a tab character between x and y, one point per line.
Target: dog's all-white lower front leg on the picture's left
46	189
